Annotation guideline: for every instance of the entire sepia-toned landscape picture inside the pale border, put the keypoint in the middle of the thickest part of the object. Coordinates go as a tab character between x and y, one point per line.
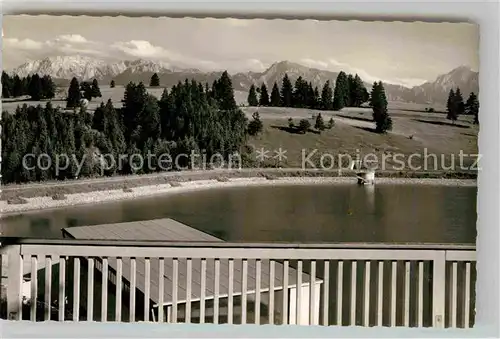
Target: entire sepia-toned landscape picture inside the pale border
239	171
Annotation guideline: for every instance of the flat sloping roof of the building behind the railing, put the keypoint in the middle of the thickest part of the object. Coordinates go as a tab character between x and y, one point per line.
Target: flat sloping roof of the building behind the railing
171	230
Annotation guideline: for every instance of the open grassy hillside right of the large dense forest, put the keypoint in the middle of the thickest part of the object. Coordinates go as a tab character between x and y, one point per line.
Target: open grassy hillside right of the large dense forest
413	133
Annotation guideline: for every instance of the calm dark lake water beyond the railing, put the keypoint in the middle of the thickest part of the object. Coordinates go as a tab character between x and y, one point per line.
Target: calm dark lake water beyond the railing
313	213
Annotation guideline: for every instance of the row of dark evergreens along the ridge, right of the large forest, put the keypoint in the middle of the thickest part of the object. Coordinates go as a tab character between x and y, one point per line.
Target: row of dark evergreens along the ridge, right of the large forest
349	92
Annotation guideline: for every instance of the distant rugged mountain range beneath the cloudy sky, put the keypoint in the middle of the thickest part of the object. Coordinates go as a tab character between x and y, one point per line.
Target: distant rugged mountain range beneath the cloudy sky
63	68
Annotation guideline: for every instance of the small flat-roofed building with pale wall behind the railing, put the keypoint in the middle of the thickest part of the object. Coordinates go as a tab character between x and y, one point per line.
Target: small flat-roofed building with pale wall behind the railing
169	230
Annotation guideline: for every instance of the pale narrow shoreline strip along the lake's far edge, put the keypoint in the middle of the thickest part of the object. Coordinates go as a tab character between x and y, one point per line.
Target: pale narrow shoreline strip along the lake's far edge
43	203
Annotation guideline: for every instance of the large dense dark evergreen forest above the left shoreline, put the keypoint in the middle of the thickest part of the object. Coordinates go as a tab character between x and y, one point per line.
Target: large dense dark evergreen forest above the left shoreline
189	117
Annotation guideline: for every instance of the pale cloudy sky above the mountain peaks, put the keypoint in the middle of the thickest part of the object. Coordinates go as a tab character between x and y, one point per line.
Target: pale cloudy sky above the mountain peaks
394	52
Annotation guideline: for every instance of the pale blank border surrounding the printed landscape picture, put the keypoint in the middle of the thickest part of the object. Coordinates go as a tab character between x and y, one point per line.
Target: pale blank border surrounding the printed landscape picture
484	13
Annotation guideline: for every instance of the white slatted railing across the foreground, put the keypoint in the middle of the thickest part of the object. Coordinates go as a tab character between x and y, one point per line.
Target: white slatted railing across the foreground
348	284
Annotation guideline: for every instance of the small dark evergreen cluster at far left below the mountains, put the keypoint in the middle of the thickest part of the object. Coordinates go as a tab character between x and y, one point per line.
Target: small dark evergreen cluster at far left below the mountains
35	86
